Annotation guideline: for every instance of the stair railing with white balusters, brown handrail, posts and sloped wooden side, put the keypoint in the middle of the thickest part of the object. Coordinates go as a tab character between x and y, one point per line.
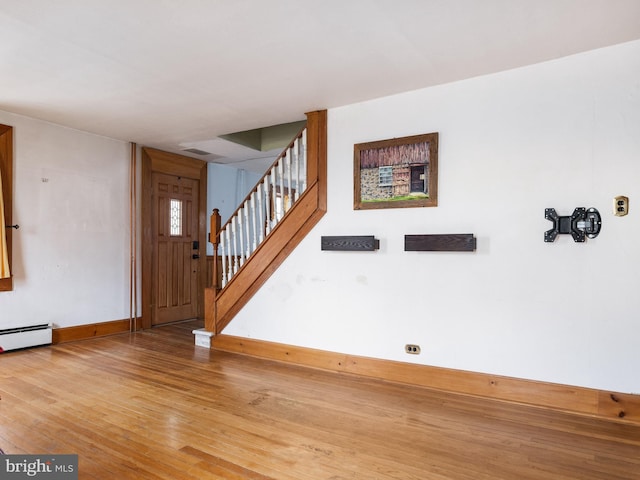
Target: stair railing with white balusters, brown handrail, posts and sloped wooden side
280	211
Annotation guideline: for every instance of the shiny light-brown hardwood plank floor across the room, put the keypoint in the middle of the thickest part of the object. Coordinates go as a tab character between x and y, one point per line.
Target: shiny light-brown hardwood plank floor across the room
151	405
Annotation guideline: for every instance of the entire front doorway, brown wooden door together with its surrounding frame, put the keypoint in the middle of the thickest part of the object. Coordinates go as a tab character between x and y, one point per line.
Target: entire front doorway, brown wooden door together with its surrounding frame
173	242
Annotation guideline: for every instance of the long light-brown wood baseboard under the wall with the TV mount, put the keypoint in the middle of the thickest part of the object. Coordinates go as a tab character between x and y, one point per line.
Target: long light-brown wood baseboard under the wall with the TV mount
586	401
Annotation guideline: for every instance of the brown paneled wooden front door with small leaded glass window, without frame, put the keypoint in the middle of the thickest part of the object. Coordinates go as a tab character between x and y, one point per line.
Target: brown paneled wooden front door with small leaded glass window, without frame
176	249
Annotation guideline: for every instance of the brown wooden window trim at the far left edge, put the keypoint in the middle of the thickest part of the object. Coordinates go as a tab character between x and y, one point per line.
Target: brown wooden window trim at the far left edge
6	170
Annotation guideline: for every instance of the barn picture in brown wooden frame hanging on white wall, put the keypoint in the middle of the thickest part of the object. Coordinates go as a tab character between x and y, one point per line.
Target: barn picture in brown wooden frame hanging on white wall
396	173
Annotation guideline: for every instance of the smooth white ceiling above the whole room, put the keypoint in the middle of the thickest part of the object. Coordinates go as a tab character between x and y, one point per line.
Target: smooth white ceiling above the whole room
176	75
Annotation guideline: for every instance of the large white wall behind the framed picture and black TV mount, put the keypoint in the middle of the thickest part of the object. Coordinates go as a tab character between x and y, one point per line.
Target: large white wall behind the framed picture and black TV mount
561	134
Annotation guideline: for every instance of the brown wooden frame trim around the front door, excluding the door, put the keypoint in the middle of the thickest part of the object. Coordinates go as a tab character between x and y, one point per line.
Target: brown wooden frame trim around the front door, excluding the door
173	164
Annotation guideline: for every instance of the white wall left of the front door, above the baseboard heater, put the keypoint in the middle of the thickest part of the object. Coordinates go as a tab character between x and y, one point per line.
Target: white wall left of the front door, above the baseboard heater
71	253
